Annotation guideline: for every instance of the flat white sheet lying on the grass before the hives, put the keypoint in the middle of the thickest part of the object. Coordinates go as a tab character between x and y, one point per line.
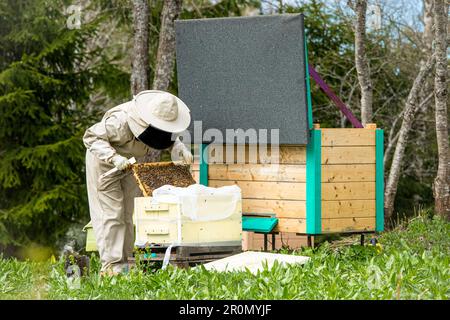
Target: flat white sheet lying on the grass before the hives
254	261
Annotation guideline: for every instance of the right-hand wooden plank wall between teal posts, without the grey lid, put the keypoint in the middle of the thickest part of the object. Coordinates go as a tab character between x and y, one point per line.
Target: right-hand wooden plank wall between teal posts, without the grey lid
348	180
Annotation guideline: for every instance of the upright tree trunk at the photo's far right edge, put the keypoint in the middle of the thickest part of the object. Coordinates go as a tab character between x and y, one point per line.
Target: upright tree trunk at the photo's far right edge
442	181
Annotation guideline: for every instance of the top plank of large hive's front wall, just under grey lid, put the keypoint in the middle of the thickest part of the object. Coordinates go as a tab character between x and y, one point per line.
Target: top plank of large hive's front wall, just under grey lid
241	154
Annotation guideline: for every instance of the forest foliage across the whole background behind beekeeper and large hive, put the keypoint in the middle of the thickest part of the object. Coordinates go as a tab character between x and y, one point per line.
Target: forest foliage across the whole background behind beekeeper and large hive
55	82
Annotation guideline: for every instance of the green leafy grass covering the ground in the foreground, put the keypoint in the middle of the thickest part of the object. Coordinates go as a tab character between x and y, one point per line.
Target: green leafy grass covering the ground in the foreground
412	264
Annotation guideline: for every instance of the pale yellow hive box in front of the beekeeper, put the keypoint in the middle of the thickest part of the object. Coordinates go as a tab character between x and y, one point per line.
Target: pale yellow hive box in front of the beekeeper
162	222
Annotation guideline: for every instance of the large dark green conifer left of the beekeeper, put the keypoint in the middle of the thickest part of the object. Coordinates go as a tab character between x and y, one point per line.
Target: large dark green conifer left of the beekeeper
44	89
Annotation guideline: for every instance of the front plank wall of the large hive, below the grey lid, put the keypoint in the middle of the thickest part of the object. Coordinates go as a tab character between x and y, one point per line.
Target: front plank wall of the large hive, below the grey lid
278	188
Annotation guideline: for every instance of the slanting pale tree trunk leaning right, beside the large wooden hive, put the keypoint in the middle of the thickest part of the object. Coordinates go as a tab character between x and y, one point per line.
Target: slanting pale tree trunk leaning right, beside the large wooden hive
410	110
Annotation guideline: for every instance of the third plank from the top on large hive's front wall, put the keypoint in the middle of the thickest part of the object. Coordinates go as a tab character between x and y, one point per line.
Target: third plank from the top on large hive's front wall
266	190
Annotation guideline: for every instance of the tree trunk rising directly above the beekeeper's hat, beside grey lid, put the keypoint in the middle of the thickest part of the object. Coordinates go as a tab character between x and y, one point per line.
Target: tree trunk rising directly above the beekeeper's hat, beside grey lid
165	58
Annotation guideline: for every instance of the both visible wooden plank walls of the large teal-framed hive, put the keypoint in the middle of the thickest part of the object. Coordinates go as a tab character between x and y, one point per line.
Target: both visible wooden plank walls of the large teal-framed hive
348	180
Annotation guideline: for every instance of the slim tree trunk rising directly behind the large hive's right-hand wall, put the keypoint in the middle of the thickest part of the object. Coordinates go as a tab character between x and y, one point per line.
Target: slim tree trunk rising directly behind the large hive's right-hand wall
362	65
